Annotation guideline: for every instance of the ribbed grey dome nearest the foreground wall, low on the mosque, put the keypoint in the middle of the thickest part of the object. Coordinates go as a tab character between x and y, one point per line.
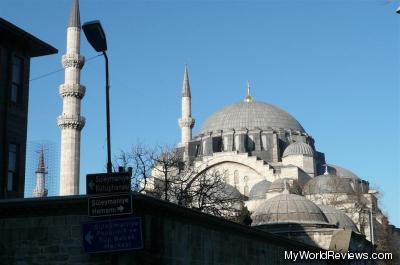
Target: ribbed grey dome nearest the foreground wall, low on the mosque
288	208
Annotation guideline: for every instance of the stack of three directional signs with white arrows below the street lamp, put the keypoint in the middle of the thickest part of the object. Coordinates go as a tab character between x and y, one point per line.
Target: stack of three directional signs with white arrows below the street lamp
109	196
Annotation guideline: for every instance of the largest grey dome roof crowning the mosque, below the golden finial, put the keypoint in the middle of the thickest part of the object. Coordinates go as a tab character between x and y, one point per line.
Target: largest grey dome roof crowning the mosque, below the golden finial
250	115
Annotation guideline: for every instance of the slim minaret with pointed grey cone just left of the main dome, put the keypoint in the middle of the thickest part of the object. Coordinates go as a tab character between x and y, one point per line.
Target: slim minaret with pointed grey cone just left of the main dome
186	122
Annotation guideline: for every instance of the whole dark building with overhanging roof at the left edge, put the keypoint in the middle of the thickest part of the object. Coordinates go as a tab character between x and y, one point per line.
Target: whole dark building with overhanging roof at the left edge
16	49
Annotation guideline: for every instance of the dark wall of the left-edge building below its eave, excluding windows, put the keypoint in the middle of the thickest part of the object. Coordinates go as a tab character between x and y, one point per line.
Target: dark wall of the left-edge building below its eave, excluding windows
13	117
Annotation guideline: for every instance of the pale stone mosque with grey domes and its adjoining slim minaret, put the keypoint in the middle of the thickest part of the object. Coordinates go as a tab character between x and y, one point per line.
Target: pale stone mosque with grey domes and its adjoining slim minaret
288	186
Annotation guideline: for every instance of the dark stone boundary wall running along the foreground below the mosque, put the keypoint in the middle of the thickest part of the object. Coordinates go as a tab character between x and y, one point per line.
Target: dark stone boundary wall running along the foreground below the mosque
48	231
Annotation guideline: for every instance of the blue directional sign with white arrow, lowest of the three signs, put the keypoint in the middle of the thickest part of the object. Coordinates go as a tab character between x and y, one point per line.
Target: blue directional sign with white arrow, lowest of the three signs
113	235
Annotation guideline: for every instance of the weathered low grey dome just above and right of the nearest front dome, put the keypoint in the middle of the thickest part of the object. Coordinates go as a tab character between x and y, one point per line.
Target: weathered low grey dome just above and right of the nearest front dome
329	183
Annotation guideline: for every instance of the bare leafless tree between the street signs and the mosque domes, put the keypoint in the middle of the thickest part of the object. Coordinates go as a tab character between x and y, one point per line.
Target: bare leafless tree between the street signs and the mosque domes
180	182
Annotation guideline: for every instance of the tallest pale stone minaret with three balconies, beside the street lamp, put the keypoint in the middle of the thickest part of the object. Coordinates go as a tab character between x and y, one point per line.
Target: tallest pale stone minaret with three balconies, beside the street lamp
71	122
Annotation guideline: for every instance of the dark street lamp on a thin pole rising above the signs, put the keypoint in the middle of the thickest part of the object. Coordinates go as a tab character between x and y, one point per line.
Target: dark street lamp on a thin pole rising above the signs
97	38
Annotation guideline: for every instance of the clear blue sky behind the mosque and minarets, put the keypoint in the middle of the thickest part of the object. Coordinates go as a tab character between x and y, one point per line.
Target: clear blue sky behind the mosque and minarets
334	65
